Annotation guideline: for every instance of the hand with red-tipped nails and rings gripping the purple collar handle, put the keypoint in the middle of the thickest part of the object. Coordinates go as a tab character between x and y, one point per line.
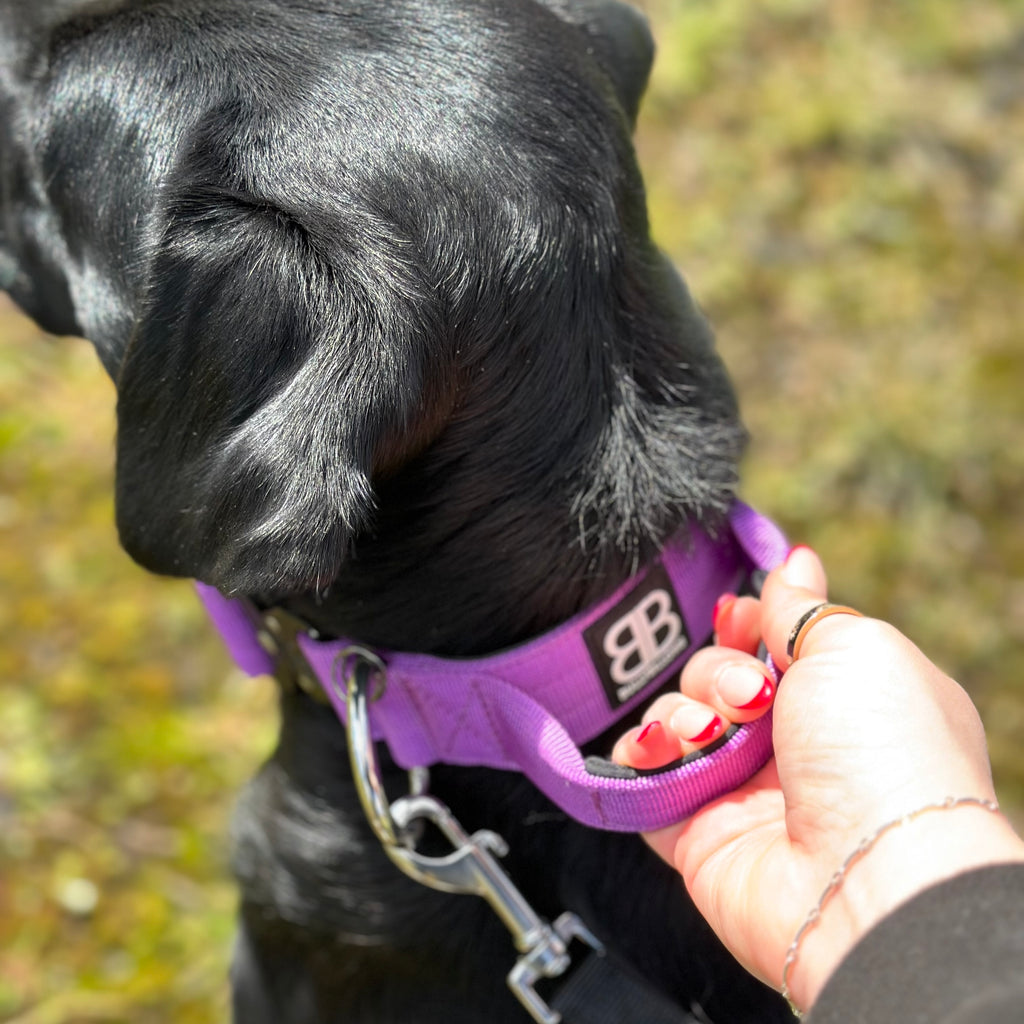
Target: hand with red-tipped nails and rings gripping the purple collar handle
866	731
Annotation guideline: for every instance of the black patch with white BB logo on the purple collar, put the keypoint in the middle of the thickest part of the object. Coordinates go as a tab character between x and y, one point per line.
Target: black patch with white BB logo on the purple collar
639	638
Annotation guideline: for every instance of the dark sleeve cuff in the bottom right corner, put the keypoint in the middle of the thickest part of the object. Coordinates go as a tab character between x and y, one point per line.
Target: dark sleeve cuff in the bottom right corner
954	955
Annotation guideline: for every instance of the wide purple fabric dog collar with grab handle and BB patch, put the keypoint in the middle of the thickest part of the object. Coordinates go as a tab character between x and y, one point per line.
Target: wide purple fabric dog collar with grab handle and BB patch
529	709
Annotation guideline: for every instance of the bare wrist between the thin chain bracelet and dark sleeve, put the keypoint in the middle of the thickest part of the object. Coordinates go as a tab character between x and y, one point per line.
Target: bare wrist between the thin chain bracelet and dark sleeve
904	859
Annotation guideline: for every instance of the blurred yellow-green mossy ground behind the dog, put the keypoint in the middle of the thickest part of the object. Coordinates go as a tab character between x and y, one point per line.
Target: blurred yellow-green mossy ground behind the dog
842	183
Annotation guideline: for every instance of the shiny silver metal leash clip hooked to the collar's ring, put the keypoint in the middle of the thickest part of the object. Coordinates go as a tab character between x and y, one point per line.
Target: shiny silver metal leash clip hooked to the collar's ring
472	868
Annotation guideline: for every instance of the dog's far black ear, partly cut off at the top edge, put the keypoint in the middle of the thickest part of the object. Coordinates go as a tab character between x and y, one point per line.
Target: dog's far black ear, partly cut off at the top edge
623	45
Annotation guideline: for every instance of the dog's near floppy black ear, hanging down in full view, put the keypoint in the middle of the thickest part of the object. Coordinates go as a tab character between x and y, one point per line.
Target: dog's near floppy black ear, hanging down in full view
274	368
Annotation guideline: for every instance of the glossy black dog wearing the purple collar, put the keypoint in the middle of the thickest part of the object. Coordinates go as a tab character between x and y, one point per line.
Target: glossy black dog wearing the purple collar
395	353
